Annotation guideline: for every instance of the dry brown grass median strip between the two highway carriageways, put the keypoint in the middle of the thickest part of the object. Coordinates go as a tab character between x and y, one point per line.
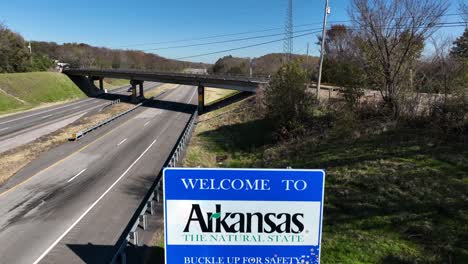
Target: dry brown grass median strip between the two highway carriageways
15	159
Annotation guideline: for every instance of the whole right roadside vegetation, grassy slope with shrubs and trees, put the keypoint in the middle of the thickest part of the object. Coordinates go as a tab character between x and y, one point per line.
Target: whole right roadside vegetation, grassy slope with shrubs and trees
397	165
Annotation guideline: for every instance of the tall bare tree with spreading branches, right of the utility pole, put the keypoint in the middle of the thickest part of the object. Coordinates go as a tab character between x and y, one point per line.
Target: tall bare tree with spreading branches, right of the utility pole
391	37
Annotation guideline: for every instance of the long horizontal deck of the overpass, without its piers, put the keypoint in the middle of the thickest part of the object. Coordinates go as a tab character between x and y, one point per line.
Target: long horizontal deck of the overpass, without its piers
244	84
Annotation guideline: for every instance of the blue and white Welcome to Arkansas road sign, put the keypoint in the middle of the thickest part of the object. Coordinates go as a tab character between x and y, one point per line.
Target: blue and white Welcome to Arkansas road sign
242	216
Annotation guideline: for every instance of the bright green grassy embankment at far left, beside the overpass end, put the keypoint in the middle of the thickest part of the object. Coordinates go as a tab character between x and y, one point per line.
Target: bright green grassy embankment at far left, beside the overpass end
22	91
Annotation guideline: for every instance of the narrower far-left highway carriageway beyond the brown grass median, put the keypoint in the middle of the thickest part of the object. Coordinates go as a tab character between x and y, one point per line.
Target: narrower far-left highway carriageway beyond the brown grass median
22	128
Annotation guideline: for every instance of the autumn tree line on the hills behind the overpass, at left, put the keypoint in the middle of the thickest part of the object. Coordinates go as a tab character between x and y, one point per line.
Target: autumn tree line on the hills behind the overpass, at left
15	56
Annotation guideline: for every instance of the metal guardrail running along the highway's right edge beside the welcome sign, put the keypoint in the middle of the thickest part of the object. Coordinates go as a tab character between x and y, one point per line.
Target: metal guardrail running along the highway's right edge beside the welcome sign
139	220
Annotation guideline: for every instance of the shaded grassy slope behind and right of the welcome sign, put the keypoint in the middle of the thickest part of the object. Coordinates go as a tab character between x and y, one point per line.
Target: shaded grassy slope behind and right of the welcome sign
398	196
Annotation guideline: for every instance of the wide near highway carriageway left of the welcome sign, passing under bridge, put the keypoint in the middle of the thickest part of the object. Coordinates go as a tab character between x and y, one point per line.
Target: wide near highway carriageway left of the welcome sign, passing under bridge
74	209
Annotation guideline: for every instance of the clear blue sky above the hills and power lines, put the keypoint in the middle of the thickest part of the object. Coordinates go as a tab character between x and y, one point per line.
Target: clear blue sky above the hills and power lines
118	23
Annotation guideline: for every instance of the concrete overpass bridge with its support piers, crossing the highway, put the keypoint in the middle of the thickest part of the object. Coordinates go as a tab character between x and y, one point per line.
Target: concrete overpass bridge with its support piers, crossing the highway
137	77
